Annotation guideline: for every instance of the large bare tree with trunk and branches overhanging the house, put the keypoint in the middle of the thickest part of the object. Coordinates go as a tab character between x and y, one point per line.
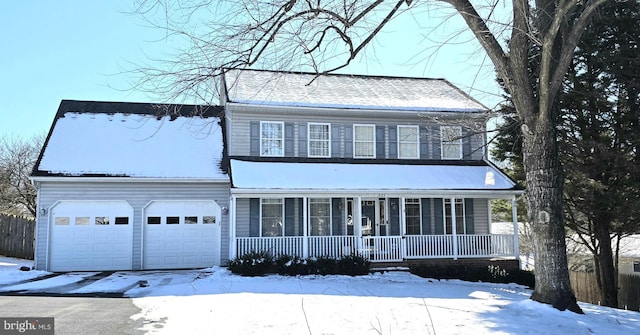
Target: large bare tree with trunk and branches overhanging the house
325	36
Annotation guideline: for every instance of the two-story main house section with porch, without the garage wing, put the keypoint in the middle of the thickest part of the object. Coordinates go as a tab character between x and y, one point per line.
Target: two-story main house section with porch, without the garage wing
392	168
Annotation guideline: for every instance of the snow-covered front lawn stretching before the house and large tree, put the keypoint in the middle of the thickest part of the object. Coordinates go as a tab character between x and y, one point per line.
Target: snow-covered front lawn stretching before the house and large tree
214	301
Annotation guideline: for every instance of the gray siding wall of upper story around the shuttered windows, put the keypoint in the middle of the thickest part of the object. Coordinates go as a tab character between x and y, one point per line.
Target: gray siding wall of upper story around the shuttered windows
238	130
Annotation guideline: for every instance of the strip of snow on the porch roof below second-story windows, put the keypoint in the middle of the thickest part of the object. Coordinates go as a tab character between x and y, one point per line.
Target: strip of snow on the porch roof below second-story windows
343	176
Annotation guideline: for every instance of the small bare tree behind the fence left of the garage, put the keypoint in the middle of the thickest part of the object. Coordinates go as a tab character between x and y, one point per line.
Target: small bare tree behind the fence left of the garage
17	158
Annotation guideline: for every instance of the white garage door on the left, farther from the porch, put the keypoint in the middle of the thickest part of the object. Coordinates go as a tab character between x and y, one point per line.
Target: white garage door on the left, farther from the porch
91	235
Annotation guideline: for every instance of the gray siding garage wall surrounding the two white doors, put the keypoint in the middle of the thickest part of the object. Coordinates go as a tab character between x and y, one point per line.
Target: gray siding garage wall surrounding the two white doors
138	195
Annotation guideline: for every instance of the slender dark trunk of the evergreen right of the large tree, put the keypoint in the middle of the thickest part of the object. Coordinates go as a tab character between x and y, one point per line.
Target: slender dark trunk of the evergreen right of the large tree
607	283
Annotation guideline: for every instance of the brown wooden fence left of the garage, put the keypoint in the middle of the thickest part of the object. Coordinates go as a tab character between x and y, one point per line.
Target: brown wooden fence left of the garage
16	236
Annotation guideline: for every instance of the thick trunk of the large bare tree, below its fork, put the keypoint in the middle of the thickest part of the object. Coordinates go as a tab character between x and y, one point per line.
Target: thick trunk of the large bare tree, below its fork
544	197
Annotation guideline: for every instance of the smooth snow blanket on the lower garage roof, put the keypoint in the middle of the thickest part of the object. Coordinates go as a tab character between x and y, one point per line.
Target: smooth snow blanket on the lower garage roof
133	145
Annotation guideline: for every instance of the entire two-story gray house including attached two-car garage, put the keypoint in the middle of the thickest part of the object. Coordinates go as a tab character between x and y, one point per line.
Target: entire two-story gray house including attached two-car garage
391	168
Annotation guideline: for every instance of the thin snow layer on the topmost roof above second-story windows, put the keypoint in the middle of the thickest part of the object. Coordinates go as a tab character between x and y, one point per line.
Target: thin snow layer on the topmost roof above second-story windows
346	91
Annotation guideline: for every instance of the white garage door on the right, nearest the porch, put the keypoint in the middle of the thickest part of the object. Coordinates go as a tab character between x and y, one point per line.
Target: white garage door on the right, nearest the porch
181	235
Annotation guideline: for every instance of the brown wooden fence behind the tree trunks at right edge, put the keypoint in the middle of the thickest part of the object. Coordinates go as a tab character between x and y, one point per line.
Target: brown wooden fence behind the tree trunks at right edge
585	287
